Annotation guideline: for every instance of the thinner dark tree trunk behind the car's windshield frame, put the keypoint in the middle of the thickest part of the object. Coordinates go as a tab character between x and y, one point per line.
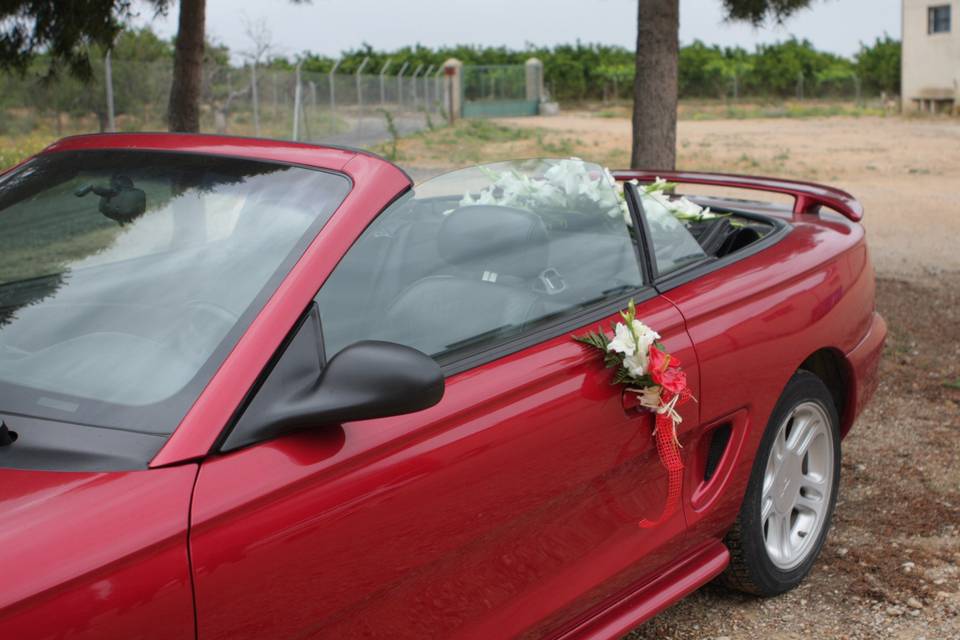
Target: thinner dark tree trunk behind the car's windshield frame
184	109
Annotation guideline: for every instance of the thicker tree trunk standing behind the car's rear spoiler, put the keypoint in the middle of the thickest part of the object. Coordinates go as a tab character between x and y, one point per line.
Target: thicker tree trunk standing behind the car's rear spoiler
655	86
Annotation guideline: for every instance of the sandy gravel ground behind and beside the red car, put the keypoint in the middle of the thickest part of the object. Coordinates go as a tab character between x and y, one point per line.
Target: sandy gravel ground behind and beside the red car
891	564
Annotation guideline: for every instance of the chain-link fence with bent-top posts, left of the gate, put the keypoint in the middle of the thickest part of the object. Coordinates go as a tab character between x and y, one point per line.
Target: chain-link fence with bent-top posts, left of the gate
354	110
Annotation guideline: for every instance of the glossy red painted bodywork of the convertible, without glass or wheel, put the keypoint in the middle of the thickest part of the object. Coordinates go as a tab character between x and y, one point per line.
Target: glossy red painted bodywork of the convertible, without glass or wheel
503	511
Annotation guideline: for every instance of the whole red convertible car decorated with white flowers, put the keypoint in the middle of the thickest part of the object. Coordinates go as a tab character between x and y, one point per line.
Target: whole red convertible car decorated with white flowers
257	389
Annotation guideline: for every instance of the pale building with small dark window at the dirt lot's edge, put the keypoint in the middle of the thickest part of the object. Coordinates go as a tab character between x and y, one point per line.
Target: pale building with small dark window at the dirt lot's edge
930	74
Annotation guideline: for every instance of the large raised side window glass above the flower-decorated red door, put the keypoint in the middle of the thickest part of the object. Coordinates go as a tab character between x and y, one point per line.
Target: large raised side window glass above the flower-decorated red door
478	256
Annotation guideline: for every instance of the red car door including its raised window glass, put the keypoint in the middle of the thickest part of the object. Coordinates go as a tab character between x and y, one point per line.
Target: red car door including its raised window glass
512	507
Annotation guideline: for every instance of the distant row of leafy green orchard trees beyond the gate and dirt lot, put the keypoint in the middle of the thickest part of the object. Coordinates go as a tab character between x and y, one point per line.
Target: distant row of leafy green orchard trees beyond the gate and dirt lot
581	71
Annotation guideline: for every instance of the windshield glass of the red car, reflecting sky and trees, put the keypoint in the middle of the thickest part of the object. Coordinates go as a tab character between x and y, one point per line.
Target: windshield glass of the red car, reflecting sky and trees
126	276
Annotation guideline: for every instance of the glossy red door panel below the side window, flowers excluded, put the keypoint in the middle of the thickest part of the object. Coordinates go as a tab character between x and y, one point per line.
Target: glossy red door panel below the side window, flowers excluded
510	507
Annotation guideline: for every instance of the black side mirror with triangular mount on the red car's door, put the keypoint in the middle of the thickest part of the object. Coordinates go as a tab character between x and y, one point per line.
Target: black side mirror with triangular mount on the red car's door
366	380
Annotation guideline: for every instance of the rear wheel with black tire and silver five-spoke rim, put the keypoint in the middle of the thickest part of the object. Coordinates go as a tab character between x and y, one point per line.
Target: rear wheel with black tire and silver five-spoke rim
774	544
